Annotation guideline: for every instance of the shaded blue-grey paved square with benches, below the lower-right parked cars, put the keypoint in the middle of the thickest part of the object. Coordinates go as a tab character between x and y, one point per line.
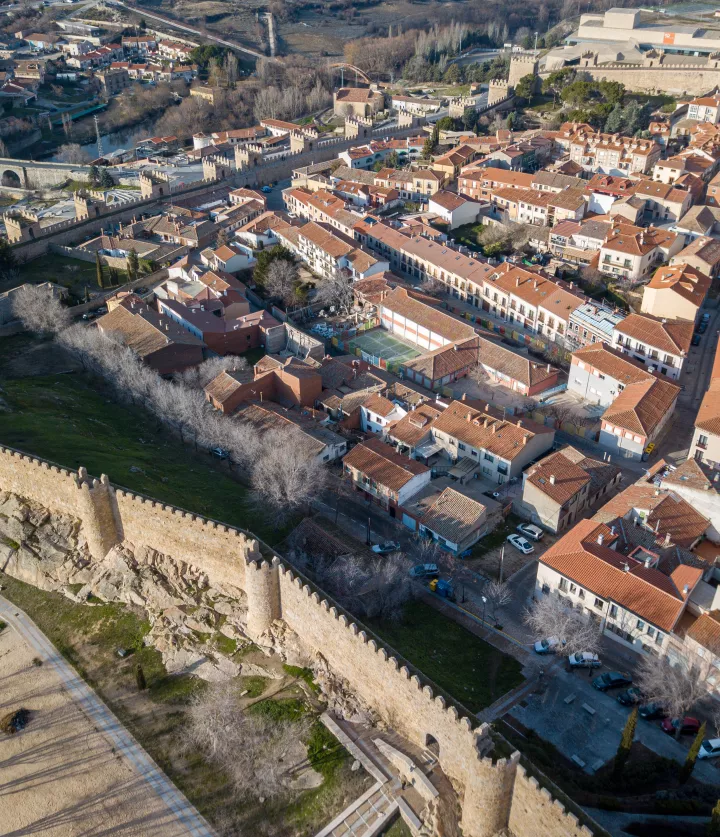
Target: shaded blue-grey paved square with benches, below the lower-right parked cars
586	724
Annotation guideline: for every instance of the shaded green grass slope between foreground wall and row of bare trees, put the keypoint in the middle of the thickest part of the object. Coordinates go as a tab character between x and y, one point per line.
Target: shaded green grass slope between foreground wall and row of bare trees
72	420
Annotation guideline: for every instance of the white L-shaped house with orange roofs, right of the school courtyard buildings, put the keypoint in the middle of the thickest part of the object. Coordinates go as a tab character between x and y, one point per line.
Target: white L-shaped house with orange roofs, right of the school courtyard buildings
638	404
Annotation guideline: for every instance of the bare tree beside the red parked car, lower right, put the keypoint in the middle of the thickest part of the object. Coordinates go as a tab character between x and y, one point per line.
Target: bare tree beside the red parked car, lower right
677	688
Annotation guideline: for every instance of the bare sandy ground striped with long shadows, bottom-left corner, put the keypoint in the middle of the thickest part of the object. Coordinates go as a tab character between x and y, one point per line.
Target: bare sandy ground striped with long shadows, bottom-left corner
60	776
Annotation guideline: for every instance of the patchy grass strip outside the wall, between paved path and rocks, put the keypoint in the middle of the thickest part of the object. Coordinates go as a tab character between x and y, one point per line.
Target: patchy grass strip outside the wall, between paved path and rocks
88	637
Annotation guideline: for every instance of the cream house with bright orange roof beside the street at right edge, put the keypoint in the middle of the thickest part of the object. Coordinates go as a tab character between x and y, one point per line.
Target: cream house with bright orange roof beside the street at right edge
676	292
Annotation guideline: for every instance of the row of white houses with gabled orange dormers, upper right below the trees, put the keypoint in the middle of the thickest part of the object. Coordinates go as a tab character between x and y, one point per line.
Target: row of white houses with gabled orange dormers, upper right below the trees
613	153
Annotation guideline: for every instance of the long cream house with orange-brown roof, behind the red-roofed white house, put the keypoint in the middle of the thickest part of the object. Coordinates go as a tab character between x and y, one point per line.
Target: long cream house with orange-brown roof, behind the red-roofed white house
501	449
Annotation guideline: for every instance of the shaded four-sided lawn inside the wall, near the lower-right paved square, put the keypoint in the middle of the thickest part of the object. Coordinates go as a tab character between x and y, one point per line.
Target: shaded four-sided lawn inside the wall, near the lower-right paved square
467	667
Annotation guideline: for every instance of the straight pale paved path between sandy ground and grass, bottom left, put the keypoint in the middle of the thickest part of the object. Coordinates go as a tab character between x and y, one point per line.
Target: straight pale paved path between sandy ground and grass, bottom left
106	722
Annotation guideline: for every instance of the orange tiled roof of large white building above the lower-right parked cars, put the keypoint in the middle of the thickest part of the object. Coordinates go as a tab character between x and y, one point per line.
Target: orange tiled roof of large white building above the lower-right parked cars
645	591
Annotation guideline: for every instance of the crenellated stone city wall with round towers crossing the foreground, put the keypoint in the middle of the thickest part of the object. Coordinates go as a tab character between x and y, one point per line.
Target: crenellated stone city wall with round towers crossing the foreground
493	795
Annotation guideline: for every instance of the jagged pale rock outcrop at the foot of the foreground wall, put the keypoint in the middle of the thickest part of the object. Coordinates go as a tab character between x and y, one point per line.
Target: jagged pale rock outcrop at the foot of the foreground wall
191	619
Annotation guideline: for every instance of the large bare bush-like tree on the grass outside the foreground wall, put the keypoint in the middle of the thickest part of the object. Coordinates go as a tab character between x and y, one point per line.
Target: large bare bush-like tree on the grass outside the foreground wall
259	755
